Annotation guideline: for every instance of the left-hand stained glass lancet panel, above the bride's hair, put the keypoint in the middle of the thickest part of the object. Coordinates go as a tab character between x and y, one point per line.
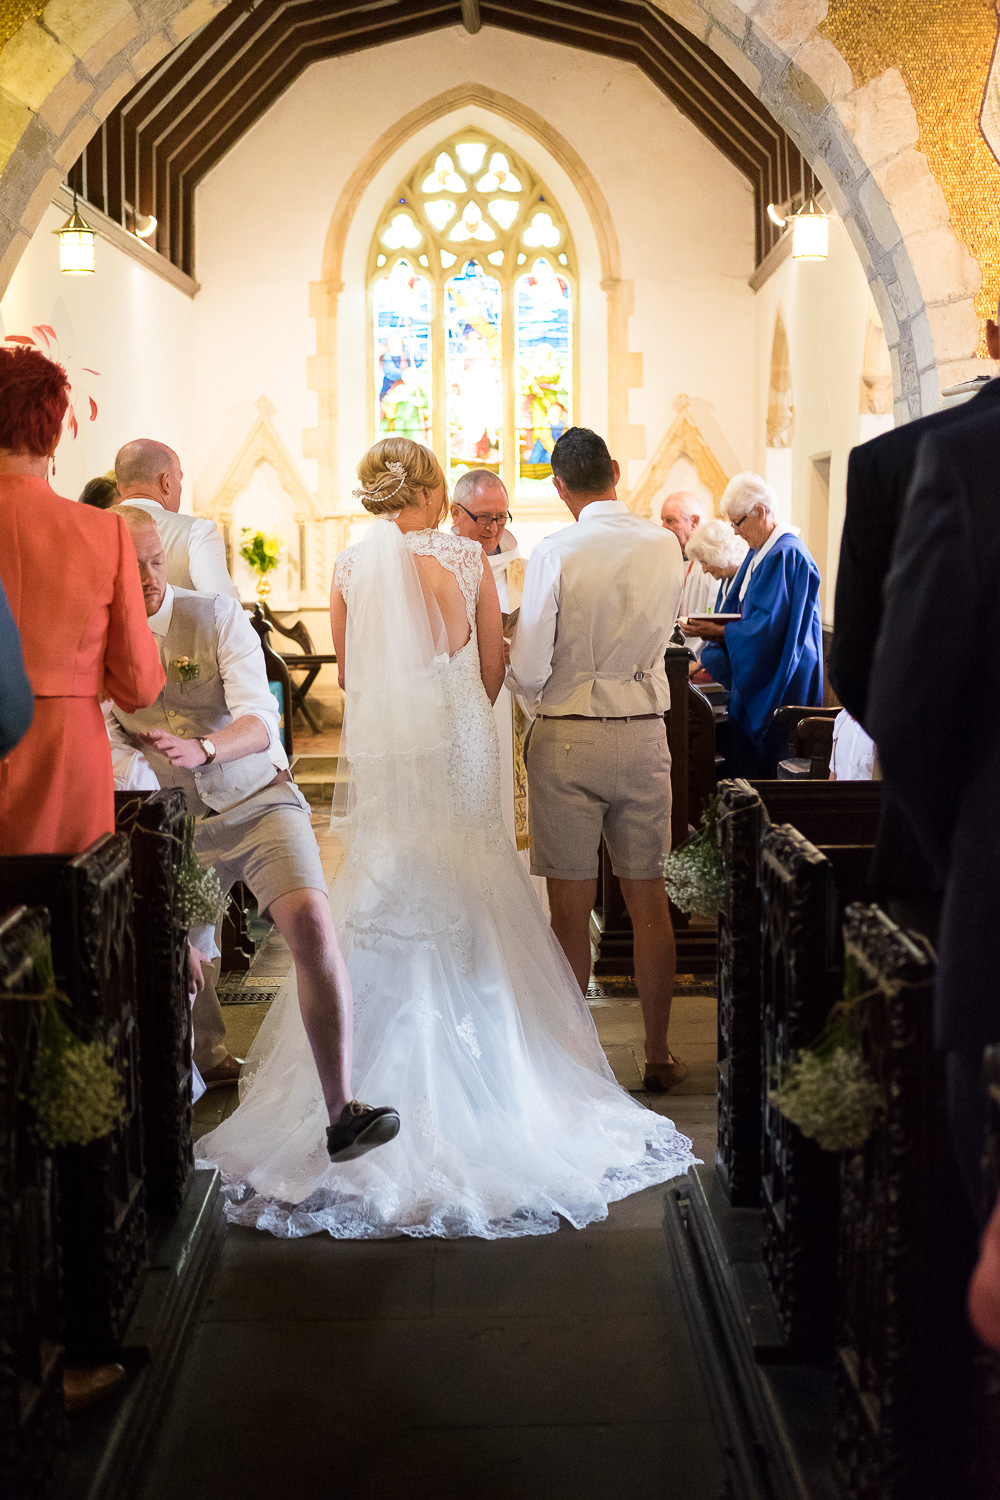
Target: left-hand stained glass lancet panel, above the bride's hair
403	353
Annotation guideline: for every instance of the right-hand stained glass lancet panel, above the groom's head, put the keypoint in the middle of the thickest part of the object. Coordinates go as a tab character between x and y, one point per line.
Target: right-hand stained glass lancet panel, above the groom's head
545	370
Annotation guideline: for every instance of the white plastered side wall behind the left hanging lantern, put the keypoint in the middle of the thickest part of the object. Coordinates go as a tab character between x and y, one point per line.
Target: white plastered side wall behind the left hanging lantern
128	325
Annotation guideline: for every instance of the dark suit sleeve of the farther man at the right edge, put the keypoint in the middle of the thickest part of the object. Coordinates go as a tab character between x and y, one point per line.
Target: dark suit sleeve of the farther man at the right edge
860	581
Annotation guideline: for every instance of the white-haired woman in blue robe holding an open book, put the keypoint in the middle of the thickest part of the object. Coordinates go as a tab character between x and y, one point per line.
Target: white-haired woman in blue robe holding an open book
774	653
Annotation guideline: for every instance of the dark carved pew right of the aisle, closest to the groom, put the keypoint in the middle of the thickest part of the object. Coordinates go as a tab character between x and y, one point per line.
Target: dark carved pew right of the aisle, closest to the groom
827	814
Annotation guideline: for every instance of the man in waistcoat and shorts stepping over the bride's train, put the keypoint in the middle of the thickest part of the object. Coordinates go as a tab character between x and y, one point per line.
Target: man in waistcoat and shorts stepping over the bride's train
214	731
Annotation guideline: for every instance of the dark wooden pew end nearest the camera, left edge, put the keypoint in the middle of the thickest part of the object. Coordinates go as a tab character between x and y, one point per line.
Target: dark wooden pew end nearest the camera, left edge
32	1424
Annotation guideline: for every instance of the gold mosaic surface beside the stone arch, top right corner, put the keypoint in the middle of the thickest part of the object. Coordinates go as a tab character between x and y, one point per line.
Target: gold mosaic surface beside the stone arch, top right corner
944	50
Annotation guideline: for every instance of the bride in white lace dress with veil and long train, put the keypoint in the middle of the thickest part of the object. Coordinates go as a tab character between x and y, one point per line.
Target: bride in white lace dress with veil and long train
467	1015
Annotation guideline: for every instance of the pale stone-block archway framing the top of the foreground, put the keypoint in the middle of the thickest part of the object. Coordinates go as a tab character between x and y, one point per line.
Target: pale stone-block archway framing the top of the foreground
71	62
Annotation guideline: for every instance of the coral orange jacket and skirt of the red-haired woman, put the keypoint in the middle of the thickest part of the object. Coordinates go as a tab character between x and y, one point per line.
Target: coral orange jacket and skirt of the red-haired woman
73	583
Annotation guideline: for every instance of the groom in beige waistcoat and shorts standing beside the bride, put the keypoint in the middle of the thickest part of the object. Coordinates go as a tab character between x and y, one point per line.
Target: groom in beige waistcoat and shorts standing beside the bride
588	664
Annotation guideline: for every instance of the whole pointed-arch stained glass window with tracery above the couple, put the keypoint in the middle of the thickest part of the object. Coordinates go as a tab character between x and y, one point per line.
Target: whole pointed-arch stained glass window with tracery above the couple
473	296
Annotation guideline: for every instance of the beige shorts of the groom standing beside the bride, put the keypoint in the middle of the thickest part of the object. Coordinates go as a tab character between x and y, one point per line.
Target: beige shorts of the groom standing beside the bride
591	778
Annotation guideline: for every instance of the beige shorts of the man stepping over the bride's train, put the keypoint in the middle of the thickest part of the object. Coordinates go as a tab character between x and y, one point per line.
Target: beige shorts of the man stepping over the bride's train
266	842
